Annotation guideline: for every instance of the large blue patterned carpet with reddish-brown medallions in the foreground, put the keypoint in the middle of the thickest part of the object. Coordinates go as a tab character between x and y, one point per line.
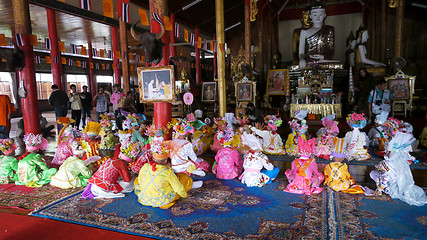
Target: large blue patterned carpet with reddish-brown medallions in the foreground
229	210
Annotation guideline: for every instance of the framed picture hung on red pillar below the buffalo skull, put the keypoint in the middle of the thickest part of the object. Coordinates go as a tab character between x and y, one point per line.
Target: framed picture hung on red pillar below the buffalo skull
156	84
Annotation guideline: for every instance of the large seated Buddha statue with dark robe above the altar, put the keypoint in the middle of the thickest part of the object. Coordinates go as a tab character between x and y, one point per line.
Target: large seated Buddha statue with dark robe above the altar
317	42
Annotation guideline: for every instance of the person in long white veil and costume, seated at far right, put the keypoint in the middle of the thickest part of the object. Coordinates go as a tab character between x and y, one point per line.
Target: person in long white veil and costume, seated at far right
393	175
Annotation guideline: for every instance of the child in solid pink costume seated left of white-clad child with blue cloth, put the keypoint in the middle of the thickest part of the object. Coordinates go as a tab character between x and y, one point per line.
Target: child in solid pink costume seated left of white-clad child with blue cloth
228	163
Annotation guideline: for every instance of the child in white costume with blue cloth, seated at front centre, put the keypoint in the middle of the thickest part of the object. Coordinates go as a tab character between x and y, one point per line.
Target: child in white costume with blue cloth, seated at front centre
253	163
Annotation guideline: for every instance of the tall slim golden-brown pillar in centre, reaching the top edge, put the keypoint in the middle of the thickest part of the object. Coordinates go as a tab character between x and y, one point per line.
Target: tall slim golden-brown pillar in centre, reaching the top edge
220	39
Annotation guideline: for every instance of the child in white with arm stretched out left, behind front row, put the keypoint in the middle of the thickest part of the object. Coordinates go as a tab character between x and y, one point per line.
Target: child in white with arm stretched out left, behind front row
271	141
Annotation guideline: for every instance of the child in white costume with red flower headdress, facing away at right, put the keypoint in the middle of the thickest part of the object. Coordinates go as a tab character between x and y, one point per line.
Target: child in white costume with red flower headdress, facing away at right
356	140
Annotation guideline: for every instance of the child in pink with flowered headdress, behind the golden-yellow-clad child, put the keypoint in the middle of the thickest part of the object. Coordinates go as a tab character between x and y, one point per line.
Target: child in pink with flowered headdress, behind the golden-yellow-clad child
324	141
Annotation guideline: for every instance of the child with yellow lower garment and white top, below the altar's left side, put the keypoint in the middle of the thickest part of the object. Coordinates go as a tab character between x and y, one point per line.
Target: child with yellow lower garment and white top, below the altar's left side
299	127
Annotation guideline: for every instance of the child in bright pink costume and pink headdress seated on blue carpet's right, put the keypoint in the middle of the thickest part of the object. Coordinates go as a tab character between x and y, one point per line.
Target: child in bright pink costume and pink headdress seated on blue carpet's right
304	178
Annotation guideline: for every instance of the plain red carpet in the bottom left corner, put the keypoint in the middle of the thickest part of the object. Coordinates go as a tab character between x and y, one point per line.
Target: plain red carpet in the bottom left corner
19	227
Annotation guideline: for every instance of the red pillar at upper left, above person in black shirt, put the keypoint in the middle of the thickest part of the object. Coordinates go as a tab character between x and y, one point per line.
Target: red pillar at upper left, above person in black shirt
55	55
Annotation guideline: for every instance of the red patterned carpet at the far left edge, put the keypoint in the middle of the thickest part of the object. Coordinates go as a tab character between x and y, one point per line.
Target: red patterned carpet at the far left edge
22	197
